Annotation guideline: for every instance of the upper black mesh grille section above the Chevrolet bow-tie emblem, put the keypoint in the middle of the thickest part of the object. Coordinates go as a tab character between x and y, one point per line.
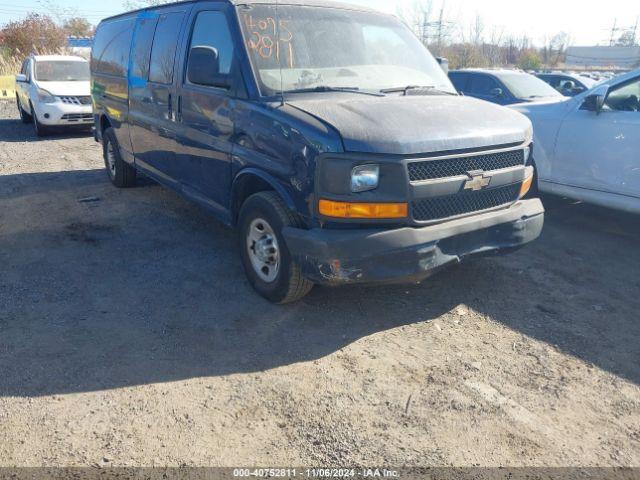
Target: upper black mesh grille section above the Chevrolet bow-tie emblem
453	167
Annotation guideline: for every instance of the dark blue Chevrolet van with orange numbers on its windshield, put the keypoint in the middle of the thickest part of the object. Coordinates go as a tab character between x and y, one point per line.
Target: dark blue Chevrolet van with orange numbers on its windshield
326	134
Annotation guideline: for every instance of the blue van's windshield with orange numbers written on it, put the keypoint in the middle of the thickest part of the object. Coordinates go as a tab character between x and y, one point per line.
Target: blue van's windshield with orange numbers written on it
330	48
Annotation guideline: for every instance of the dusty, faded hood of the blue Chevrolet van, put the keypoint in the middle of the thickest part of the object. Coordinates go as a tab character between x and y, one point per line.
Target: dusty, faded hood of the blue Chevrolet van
411	125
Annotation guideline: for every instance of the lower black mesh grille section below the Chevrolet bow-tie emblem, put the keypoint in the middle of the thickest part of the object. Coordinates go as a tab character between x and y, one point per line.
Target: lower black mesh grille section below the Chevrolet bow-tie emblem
462	203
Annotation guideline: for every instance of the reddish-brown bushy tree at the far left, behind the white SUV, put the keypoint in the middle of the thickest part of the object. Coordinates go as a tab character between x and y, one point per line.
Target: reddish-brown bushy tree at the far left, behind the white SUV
34	34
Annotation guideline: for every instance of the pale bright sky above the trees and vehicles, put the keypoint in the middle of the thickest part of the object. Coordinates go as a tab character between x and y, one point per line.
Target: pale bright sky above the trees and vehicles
587	25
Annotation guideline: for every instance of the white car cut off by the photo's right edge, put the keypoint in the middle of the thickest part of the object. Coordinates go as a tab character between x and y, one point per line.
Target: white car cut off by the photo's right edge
588	147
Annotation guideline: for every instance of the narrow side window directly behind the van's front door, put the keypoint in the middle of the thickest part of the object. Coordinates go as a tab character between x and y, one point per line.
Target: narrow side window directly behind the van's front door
163	53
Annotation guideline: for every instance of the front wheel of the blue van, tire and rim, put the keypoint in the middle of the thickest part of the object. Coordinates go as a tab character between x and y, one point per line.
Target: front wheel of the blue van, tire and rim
265	257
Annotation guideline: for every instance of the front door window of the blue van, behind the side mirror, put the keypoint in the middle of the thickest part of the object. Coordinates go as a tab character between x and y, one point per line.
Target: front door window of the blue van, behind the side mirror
212	30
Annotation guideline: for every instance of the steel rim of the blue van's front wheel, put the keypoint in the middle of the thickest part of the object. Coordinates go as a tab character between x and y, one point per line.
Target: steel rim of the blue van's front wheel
263	249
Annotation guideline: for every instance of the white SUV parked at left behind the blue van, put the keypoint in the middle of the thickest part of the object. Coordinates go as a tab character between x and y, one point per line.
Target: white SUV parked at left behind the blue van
54	91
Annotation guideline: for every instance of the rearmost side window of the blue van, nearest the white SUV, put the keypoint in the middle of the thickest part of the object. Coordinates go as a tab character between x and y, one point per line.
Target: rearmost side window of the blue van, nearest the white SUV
110	53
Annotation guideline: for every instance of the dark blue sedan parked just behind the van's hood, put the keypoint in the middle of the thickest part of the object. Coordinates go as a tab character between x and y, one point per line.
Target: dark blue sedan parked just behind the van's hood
504	87
